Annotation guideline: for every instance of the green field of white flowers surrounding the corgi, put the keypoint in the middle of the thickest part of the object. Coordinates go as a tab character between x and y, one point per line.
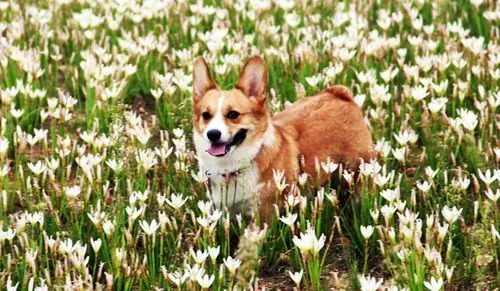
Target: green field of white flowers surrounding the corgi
99	181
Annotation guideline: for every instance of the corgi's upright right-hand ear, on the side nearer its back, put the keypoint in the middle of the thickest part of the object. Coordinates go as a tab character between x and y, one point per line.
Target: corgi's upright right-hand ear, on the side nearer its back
253	79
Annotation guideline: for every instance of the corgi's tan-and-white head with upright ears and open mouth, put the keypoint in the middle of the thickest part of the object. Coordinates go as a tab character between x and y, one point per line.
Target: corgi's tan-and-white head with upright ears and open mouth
226	120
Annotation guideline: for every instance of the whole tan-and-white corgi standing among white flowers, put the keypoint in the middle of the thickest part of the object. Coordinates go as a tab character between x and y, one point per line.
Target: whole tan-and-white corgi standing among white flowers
240	146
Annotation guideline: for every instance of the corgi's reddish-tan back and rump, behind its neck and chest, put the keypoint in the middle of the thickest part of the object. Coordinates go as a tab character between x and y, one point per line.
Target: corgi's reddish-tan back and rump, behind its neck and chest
329	124
